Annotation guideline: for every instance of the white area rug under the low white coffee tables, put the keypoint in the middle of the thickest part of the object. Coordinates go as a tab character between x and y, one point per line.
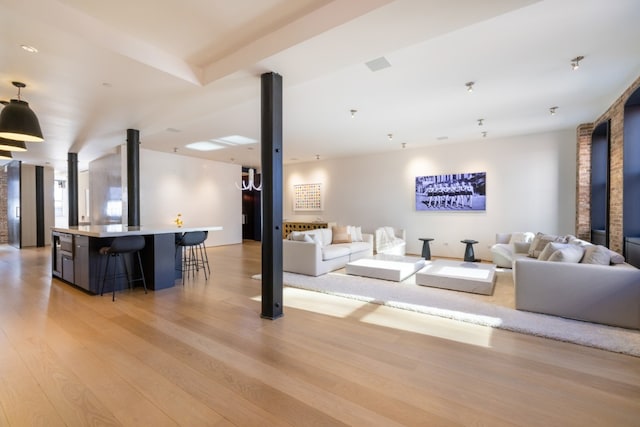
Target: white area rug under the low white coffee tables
493	311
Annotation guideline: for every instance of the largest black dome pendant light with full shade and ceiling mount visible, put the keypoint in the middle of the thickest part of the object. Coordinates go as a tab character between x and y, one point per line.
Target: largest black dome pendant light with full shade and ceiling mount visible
18	121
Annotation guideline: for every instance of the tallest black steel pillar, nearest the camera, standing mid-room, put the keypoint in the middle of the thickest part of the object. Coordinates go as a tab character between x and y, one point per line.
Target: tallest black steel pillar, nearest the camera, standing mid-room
271	141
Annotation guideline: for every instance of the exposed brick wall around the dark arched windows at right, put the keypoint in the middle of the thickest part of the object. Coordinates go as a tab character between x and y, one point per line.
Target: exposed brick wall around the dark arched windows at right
615	114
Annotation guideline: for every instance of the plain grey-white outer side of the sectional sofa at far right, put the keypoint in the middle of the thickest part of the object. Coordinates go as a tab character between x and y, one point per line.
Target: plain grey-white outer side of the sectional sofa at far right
595	293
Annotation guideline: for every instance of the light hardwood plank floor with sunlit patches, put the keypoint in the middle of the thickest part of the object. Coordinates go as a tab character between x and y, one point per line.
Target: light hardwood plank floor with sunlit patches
201	355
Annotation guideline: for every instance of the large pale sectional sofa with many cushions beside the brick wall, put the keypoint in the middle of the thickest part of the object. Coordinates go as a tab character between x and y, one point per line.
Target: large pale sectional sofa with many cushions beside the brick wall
568	277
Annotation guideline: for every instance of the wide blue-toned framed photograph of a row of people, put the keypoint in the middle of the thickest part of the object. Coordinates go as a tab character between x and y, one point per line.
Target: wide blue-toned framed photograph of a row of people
453	192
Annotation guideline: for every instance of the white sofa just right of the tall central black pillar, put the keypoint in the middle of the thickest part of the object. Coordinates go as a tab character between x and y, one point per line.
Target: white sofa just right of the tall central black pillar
316	252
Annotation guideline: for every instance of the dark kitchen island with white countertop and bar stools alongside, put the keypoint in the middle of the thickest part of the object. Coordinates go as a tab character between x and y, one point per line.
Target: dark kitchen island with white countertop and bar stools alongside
76	258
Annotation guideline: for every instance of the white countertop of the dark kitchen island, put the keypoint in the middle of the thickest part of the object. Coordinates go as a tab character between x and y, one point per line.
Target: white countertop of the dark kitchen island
114	230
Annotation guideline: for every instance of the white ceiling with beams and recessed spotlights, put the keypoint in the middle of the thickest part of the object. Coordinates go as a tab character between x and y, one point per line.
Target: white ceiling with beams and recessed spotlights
182	71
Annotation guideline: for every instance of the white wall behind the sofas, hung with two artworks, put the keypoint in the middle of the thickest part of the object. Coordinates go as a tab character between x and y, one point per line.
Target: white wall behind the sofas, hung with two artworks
530	186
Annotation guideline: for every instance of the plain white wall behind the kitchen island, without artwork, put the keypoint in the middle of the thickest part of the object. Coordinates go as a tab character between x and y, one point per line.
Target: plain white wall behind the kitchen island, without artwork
203	191
